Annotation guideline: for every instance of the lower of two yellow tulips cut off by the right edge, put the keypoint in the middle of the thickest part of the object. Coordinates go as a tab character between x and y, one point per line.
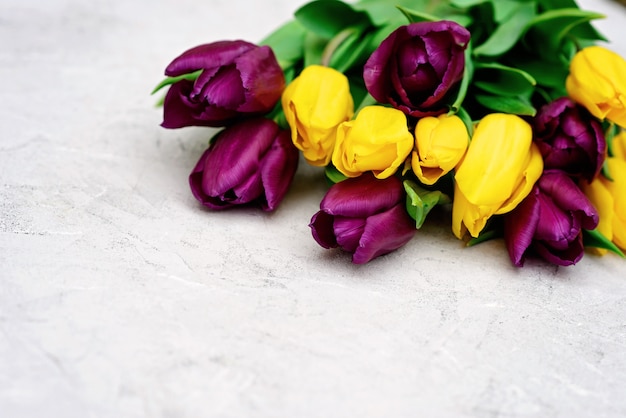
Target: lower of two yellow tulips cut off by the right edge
609	199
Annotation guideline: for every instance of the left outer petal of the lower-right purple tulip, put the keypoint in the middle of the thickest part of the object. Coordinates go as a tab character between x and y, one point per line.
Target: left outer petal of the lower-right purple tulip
520	226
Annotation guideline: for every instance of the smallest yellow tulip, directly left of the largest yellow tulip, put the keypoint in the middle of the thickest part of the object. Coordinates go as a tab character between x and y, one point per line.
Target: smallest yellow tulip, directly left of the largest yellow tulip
440	144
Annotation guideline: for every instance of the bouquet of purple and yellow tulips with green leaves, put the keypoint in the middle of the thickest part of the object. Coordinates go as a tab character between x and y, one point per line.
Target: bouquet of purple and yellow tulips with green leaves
508	114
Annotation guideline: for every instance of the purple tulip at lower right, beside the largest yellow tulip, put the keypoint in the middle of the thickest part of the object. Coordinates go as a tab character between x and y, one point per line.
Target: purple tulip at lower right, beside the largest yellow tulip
549	221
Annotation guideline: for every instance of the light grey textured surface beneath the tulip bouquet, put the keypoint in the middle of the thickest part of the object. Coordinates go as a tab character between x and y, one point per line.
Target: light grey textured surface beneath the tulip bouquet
121	297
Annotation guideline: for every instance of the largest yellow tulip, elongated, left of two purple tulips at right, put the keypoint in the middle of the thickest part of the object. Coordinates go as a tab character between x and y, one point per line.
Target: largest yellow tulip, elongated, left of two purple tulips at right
498	171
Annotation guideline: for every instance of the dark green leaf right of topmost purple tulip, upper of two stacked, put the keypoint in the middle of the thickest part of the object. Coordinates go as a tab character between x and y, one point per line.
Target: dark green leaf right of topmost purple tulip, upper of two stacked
502	80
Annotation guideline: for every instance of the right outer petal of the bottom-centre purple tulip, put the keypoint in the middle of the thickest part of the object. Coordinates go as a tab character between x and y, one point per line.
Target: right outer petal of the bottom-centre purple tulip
384	233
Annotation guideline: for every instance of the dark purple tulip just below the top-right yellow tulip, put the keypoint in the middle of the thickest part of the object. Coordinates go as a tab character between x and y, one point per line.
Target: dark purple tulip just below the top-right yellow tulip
570	139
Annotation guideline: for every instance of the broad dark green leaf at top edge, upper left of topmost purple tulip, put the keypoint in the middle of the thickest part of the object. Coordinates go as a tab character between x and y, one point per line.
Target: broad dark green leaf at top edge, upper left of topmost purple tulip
327	18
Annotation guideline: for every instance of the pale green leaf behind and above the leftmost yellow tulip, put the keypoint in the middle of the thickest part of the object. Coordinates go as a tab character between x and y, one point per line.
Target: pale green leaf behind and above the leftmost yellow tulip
287	42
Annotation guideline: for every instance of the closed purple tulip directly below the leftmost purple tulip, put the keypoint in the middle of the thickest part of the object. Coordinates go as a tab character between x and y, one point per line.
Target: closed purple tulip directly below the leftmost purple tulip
251	162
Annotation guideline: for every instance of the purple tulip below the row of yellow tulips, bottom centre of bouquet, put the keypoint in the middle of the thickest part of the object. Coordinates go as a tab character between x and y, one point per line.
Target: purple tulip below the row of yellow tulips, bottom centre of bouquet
364	216
